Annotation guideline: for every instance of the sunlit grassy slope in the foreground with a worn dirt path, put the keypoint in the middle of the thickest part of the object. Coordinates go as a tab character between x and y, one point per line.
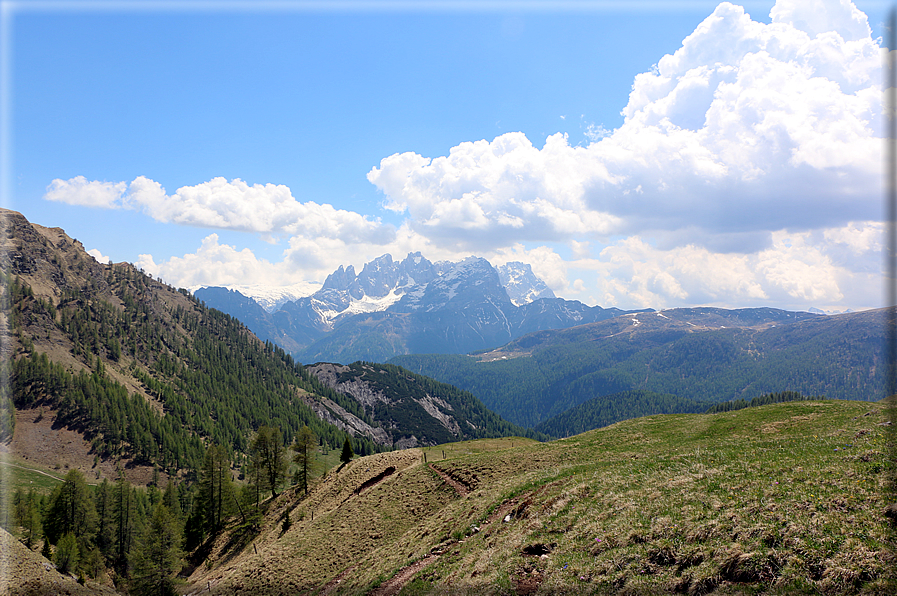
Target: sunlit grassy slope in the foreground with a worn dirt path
777	499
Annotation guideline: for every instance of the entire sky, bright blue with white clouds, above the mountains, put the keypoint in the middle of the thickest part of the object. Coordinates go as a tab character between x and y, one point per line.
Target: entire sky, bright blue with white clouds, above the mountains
636	154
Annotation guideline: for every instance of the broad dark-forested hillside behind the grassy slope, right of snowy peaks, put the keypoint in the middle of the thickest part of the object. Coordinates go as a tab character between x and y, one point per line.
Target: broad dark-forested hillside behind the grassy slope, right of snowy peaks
701	355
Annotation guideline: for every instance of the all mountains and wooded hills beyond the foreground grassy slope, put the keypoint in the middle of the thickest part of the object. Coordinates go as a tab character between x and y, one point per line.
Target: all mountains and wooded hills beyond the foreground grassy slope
140	335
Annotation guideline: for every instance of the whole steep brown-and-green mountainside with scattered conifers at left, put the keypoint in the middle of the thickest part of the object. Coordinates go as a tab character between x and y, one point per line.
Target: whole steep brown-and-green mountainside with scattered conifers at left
147	373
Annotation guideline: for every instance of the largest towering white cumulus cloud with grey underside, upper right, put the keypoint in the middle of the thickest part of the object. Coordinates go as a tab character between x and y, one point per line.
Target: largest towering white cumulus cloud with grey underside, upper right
748	128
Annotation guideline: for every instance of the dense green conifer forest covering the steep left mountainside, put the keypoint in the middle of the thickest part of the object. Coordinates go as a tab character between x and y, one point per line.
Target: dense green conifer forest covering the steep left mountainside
213	380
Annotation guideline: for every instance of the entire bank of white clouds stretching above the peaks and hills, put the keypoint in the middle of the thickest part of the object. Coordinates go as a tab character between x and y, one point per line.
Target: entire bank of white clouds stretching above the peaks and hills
746	172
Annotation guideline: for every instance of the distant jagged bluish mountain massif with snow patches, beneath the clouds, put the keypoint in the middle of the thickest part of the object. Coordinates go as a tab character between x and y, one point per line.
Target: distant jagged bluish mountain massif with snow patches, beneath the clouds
410	306
